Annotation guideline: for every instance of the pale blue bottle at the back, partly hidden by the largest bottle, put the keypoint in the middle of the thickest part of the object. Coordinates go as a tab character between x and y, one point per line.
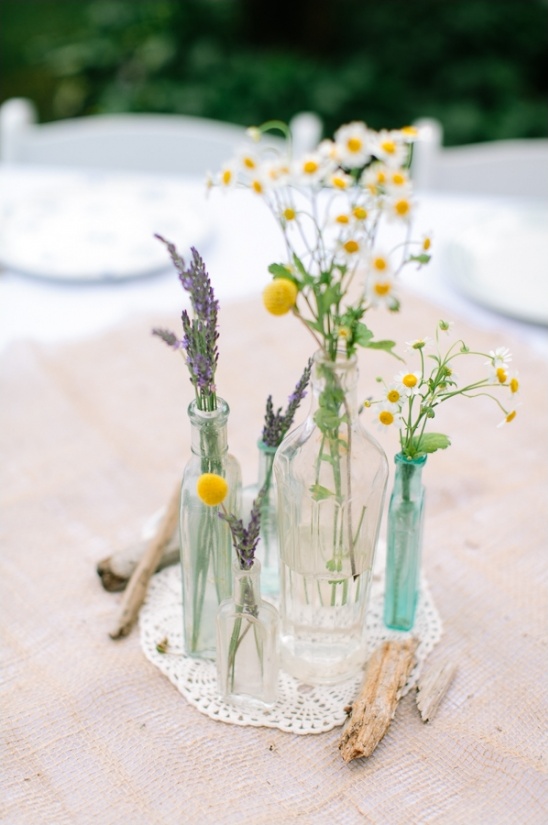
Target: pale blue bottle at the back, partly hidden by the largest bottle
267	549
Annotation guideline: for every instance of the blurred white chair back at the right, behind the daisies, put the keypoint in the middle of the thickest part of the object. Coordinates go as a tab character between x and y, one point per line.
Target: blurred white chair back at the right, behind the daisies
501	167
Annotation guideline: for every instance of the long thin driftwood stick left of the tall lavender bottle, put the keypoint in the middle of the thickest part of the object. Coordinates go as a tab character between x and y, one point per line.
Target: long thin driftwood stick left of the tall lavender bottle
136	589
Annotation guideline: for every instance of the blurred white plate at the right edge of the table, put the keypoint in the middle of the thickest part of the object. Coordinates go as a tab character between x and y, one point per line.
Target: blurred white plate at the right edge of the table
501	261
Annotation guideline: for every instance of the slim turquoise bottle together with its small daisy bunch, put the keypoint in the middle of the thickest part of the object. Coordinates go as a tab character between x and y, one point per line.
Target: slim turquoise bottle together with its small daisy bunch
410	403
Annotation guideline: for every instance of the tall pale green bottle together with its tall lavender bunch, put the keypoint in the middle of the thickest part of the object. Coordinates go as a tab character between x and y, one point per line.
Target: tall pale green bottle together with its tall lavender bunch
205	541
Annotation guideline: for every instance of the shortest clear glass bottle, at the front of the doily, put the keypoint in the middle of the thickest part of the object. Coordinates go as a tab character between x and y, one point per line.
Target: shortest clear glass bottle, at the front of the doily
247	643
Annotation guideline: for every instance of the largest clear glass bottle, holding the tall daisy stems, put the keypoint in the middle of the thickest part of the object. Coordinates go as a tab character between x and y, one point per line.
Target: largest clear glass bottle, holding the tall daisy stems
331	477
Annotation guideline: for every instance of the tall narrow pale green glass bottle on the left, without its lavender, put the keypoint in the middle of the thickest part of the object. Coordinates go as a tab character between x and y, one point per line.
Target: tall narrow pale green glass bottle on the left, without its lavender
205	539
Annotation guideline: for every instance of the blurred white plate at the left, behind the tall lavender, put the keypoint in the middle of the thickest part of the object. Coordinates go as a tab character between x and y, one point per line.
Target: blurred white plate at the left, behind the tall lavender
99	226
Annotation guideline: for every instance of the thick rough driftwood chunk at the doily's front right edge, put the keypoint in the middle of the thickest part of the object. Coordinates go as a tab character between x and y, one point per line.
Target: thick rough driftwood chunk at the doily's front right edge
371	713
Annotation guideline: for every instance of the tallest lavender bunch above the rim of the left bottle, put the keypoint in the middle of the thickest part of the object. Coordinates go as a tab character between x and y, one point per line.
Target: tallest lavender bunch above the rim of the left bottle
200	337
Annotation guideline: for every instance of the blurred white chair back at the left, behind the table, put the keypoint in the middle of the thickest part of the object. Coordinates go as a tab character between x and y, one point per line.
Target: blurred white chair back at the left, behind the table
178	144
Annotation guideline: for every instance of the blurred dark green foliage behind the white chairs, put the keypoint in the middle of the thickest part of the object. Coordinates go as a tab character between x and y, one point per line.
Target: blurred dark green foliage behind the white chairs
479	66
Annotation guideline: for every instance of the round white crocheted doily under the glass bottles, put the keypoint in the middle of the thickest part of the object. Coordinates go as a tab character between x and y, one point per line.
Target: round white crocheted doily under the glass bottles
300	708
